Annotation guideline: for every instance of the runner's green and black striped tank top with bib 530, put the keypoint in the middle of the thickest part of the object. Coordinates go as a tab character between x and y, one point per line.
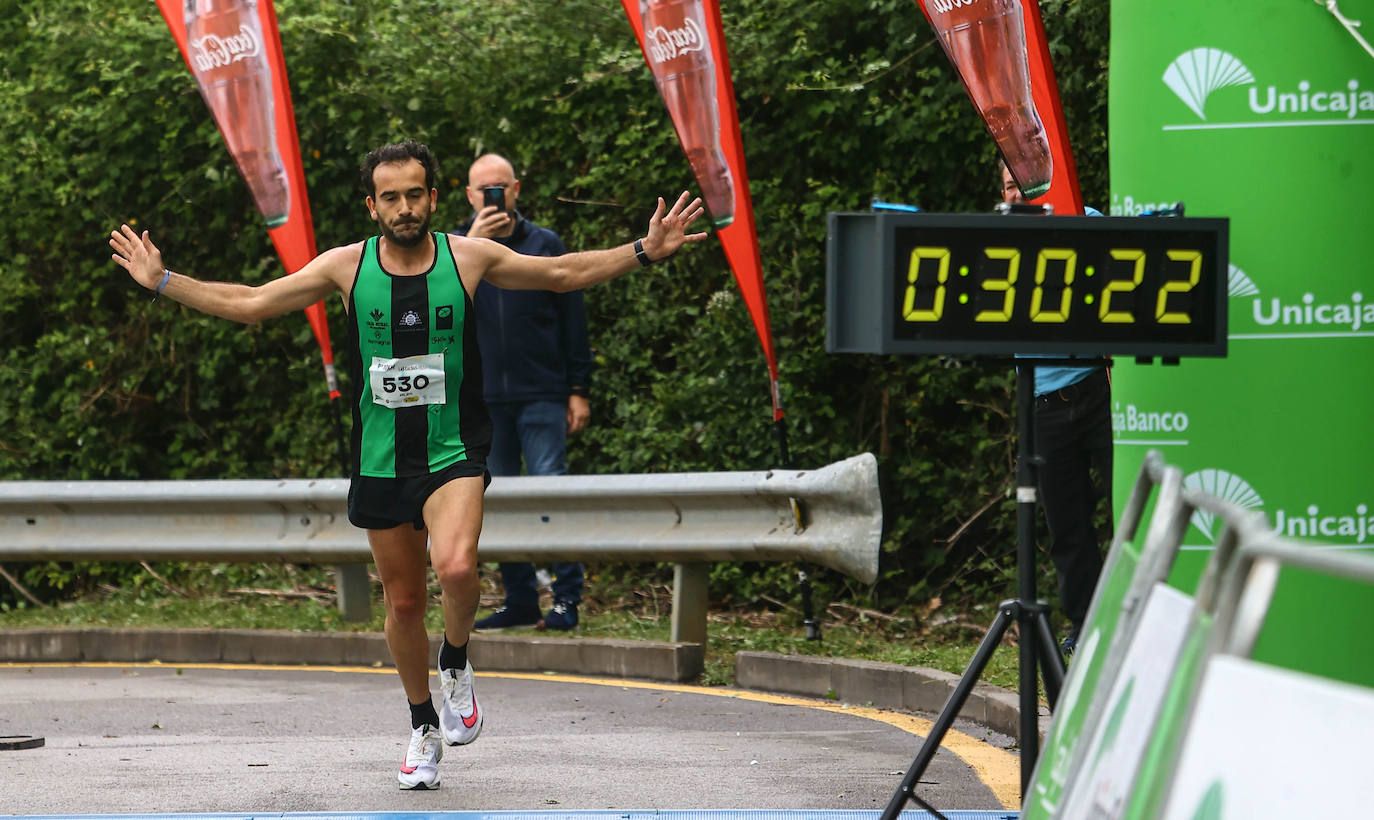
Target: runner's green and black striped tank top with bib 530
417	367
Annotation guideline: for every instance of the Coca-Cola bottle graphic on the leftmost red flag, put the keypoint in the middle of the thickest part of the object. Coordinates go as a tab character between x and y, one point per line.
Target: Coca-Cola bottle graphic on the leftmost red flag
225	41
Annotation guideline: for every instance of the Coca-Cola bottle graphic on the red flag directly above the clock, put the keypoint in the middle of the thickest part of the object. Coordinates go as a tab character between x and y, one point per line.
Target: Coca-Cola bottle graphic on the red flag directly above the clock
987	42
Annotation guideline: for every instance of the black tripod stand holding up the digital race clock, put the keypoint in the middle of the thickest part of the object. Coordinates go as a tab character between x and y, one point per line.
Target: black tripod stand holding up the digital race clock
1038	652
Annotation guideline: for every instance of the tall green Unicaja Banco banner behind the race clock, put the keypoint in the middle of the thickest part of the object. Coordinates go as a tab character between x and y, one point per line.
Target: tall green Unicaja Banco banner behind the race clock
1262	112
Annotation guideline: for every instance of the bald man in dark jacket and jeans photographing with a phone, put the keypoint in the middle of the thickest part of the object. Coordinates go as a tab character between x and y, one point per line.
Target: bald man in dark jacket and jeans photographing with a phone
537	365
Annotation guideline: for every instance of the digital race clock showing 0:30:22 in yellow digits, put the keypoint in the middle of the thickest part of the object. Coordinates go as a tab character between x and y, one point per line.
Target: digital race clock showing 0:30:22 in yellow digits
1001	285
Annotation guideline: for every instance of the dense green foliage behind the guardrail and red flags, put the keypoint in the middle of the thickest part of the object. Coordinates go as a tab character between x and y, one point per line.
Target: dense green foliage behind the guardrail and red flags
840	102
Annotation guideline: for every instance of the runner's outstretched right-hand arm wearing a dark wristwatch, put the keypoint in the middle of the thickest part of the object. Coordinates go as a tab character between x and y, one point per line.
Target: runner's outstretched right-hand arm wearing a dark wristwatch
575	271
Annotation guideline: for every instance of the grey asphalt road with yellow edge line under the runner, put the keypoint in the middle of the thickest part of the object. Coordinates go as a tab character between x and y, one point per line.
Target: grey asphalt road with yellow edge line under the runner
188	738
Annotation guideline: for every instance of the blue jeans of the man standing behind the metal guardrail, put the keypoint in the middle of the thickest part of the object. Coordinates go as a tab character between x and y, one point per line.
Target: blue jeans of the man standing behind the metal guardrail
538	432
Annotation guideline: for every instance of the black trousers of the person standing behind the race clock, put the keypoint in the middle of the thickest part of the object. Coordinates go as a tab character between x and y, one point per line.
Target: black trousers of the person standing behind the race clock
1074	437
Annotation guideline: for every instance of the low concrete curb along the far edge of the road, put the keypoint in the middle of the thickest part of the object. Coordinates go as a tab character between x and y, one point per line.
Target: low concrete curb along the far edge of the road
888	686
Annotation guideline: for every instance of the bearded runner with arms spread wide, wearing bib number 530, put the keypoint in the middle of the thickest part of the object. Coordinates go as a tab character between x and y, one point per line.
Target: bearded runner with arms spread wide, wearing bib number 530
421	431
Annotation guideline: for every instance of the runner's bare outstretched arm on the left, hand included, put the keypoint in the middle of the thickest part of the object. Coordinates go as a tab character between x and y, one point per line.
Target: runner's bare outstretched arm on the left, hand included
240	303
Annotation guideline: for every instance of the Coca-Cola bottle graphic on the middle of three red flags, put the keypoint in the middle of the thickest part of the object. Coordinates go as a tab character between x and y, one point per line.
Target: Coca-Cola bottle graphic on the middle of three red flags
685	71
